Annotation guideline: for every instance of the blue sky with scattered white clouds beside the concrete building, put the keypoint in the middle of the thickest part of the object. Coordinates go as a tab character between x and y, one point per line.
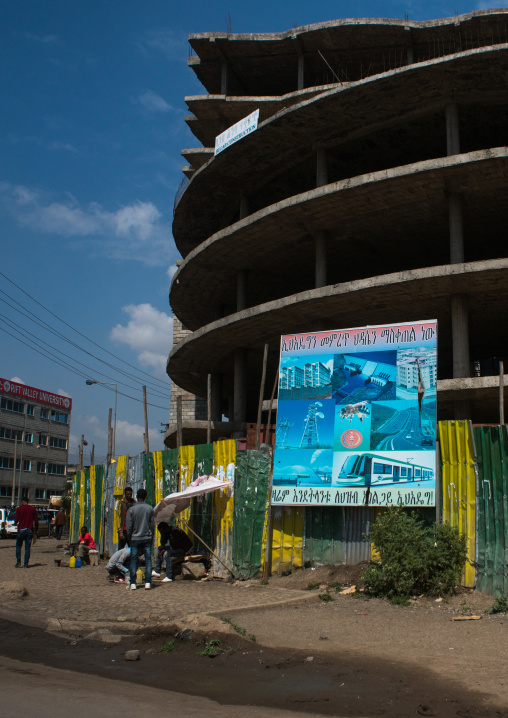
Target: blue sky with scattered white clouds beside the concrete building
91	130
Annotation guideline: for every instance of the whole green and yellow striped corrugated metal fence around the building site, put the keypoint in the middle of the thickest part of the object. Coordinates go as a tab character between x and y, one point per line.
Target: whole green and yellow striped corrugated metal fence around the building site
472	488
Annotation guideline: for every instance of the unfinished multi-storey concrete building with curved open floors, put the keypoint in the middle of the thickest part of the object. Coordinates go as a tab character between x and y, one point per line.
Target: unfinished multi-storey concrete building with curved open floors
373	191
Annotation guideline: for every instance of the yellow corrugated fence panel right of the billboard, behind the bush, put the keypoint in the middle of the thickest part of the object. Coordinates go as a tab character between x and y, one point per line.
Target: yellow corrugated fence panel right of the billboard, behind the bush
458	475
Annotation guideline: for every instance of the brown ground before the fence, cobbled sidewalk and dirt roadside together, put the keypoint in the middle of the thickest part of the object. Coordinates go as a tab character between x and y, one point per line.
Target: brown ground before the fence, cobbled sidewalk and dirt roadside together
349	656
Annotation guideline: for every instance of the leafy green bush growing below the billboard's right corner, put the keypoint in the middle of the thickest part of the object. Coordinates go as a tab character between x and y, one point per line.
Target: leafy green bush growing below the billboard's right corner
414	559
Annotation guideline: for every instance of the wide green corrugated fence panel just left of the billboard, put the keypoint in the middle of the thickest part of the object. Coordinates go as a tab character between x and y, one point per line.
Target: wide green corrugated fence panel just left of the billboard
251	491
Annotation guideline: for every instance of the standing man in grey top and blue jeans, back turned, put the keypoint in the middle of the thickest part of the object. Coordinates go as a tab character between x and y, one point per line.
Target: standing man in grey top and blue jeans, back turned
140	527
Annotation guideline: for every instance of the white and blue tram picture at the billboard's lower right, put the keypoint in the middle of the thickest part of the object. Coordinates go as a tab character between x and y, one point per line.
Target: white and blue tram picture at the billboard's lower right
376	470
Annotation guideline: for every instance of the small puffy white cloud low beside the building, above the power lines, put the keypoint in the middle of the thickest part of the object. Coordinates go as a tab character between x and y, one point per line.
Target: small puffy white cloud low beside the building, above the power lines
148	332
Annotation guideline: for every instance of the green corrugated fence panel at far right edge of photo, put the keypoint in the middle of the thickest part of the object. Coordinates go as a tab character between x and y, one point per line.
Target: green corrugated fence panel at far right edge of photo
492	556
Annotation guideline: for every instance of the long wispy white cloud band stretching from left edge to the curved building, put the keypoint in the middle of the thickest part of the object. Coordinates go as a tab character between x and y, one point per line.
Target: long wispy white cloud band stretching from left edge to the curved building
135	231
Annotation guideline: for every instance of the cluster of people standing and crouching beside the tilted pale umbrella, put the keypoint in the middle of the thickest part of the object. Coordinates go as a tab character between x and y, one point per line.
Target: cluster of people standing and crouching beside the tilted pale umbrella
136	528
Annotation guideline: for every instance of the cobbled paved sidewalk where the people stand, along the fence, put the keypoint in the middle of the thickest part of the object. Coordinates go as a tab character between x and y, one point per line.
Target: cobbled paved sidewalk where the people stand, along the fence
85	594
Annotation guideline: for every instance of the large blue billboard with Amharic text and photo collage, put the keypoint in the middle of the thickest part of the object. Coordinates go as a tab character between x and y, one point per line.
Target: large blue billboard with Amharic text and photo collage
356	417
